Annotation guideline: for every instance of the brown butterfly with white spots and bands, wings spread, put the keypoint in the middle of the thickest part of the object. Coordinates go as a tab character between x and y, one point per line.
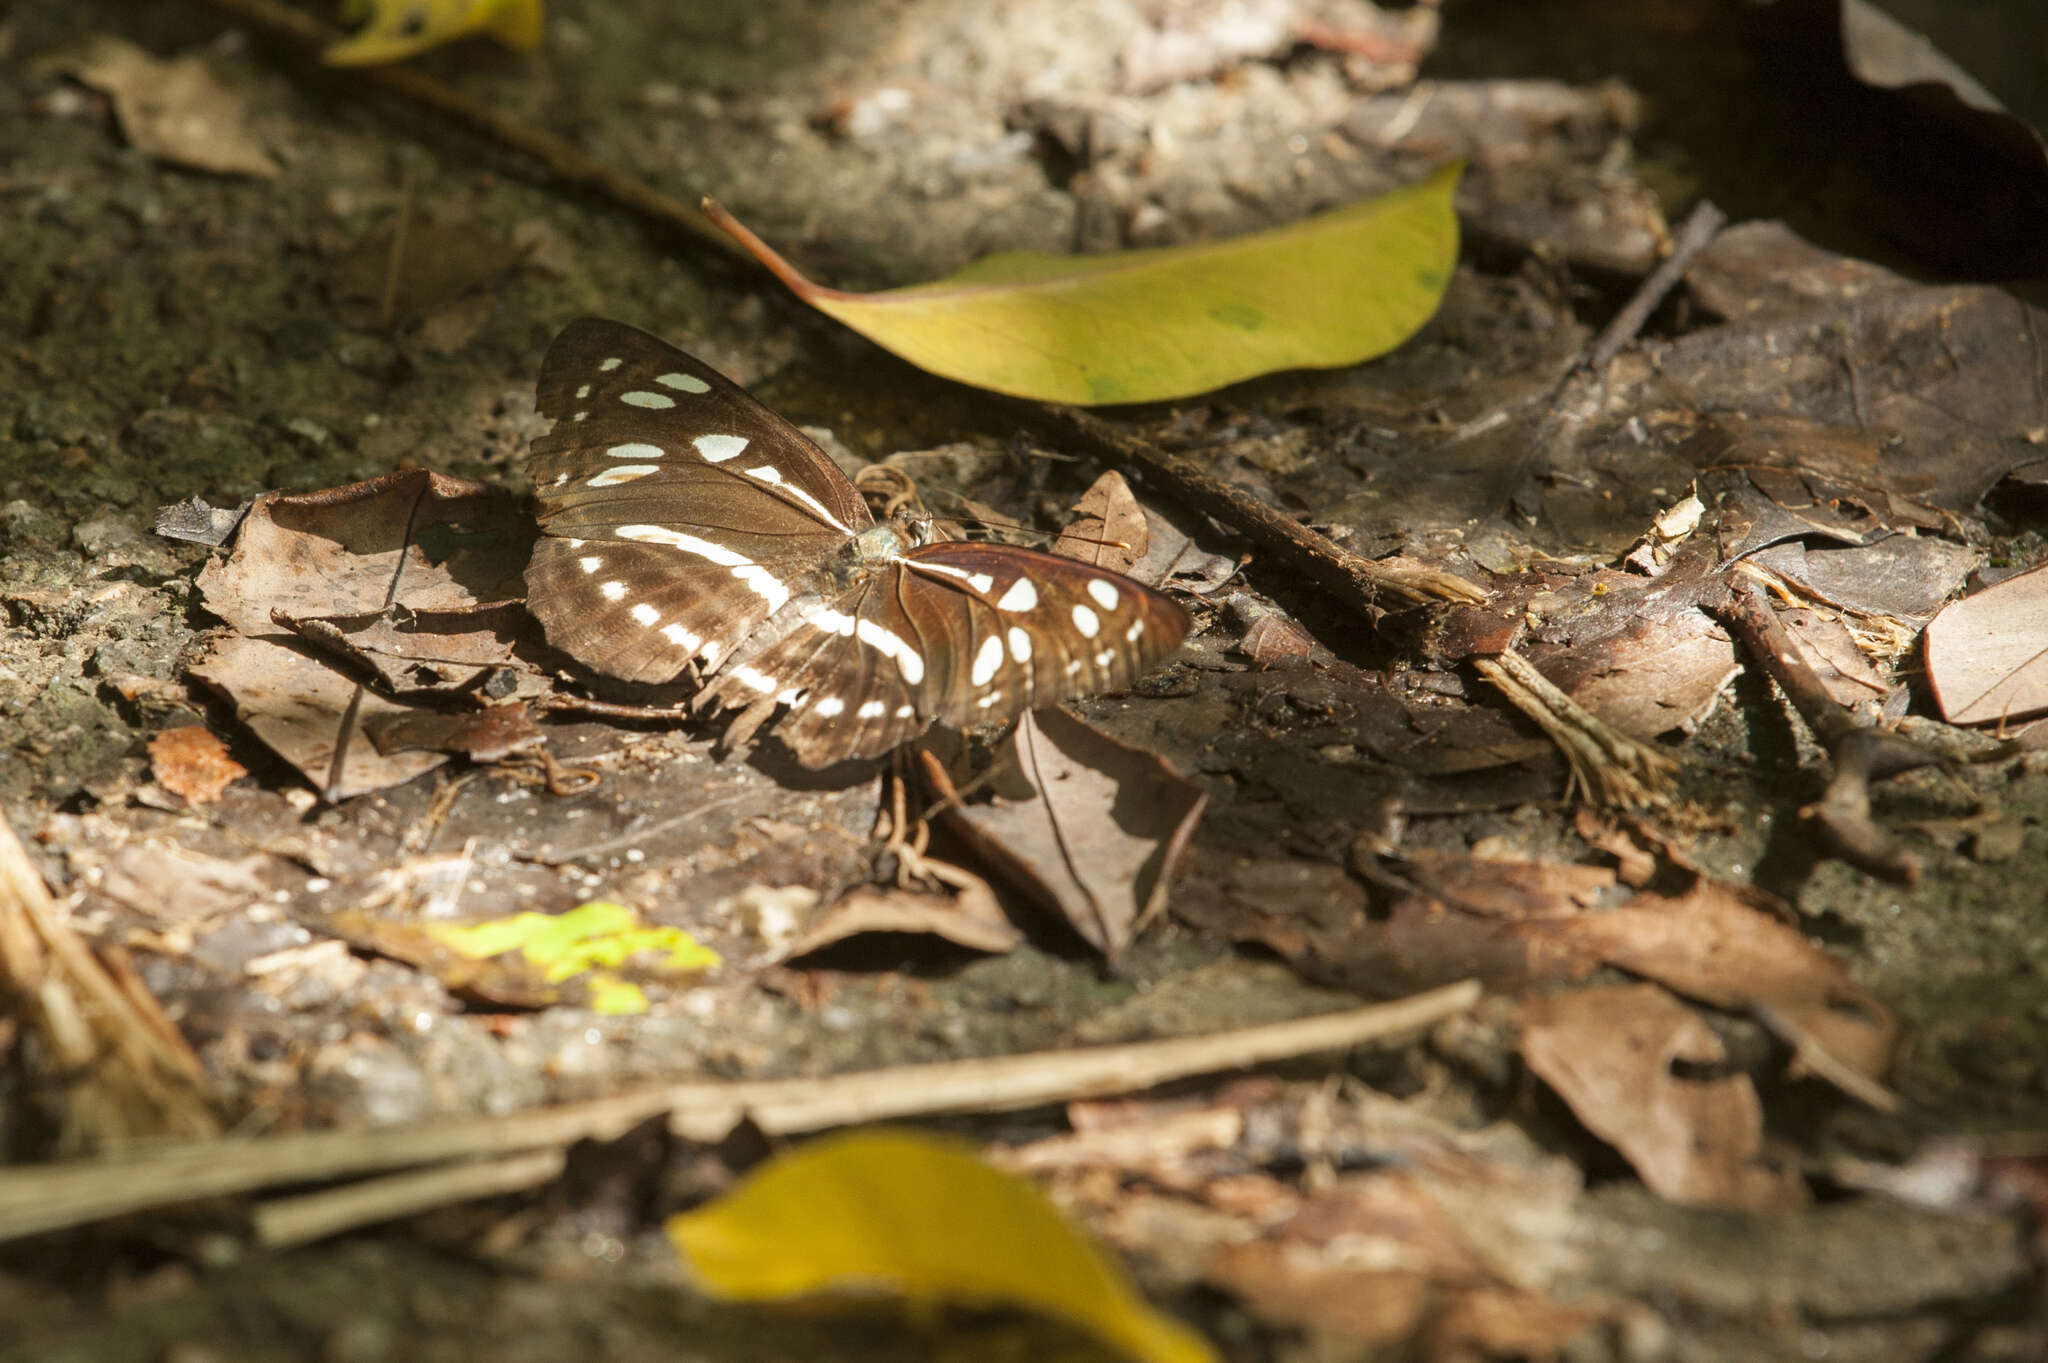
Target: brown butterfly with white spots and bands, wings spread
687	531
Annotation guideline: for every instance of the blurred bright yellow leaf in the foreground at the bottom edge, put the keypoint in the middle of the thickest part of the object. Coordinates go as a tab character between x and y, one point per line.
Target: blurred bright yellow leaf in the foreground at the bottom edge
923	1219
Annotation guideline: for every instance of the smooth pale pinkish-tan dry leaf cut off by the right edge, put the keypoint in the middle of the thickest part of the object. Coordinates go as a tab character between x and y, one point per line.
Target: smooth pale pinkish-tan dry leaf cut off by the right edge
1988	656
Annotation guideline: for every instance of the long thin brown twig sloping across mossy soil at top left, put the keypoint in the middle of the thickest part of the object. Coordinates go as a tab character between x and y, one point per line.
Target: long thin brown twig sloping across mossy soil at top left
558	157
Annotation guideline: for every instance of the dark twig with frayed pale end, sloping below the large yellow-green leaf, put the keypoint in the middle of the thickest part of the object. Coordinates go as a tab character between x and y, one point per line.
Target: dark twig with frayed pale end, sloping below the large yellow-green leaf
1351	578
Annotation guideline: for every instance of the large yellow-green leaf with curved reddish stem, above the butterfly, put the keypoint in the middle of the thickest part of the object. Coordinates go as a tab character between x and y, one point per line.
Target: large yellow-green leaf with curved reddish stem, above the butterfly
1150	324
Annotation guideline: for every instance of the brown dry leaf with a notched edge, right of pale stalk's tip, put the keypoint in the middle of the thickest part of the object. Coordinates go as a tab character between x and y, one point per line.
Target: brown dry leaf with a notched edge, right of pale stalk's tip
1613	1055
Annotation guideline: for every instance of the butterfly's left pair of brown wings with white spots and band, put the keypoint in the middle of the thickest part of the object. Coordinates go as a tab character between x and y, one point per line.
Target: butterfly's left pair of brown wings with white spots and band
679	513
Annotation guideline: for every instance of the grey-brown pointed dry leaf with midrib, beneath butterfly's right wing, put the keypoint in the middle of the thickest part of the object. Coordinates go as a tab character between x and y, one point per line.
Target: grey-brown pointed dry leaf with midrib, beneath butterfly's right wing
1086	826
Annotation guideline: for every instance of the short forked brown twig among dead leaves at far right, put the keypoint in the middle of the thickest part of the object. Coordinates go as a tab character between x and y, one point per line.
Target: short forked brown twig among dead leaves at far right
1859	754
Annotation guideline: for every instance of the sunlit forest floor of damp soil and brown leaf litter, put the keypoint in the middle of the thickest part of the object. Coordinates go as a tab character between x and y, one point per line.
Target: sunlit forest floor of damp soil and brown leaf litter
1848	1116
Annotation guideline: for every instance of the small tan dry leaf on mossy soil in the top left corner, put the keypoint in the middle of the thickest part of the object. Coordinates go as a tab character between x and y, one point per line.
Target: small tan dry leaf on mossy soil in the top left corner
173	112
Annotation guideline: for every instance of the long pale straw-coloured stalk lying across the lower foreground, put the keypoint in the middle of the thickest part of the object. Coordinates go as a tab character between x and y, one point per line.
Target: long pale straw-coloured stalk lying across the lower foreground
42	1198
